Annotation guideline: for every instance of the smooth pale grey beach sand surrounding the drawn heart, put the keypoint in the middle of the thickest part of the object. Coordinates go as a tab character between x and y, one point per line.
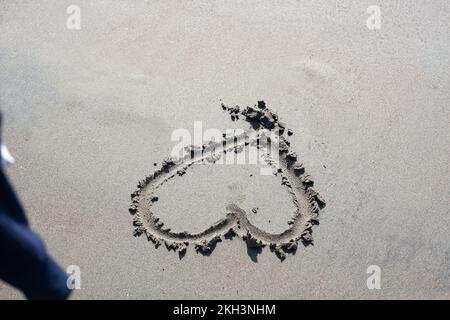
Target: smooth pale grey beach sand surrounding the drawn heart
88	112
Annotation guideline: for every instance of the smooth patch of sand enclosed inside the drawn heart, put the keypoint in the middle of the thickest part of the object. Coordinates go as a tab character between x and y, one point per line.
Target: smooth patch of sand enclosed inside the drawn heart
199	198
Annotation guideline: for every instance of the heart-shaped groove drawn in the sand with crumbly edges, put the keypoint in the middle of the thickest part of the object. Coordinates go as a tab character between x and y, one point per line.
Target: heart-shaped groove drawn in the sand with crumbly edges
306	200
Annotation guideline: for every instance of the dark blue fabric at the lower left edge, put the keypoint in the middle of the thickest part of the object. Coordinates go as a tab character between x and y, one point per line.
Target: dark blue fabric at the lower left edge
24	261
